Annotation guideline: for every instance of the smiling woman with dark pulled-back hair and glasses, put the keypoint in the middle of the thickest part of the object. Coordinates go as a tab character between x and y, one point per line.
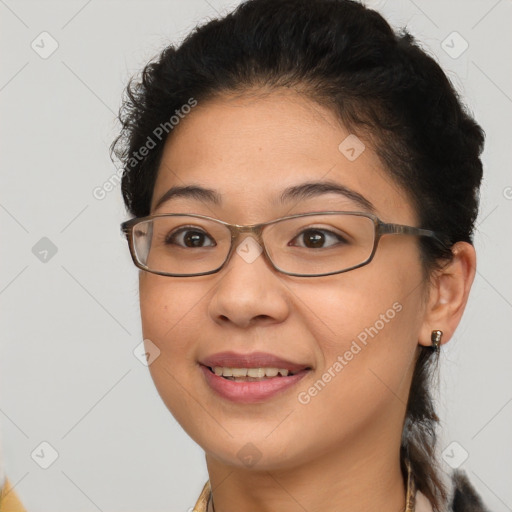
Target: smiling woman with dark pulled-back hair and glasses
297	350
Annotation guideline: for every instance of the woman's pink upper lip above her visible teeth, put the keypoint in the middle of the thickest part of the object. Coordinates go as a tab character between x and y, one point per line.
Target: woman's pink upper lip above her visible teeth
252	360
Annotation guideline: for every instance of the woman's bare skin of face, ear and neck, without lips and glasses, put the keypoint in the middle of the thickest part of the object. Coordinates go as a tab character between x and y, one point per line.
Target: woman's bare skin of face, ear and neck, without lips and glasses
335	448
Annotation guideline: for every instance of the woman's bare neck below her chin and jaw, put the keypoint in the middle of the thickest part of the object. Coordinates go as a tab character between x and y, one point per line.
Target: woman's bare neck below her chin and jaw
355	478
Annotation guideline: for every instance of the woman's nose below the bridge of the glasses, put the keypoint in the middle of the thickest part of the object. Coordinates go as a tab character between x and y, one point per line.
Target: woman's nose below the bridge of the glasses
250	291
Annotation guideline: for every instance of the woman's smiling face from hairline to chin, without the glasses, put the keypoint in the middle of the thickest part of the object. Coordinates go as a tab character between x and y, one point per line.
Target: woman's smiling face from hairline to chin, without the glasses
352	337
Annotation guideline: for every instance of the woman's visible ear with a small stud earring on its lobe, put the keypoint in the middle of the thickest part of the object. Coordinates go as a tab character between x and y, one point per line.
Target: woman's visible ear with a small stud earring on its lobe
448	294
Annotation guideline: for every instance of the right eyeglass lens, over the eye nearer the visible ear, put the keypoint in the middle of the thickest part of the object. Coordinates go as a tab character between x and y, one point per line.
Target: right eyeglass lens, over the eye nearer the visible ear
320	244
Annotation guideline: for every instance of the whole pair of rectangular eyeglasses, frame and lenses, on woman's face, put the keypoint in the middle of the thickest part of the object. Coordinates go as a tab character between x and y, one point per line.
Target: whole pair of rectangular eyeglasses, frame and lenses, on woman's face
305	245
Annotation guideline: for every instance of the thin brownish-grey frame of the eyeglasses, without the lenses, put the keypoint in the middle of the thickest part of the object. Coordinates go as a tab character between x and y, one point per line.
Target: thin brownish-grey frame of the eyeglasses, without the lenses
381	229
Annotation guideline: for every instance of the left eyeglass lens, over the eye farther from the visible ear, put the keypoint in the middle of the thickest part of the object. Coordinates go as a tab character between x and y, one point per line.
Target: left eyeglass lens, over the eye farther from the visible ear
181	244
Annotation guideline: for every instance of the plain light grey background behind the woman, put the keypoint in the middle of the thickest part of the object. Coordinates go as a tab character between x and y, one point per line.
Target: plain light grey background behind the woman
70	324
